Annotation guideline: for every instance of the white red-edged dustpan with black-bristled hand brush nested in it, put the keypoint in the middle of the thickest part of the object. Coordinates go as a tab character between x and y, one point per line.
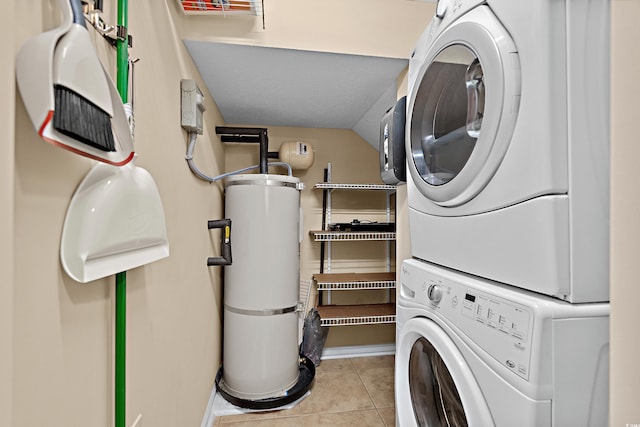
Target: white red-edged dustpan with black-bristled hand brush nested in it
70	99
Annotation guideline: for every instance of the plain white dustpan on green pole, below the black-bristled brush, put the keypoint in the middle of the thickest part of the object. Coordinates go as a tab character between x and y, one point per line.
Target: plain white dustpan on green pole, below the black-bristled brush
115	222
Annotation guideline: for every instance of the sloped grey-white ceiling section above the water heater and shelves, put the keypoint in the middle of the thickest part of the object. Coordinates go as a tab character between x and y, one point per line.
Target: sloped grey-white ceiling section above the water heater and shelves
261	86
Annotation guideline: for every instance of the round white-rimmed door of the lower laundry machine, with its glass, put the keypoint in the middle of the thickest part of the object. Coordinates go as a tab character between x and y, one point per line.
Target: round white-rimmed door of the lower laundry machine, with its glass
434	386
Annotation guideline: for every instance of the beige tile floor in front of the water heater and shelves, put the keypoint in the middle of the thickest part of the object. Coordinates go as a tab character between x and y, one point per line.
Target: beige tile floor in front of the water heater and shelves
346	392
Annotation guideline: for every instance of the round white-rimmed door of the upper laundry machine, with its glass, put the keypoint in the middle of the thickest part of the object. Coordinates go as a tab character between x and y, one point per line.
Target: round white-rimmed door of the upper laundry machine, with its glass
463	108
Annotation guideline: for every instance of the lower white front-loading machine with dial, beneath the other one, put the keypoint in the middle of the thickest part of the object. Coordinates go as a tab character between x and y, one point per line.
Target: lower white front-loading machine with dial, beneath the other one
470	352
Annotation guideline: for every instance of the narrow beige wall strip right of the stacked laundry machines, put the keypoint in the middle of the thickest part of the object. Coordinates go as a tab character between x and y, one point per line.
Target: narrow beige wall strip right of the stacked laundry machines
625	214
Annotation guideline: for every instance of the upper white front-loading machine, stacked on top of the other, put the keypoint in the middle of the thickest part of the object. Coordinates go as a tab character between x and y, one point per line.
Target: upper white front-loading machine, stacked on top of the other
507	142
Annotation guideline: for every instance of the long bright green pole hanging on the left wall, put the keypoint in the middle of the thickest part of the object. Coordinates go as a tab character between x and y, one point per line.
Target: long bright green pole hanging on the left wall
122	83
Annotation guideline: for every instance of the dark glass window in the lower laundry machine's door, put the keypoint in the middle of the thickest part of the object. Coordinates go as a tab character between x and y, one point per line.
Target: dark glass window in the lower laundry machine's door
434	396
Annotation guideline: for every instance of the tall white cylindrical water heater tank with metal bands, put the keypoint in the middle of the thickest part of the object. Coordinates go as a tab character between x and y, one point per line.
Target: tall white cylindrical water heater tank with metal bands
261	290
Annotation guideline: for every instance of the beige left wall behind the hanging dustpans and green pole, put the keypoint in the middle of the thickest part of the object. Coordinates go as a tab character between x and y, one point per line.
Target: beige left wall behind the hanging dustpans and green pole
62	333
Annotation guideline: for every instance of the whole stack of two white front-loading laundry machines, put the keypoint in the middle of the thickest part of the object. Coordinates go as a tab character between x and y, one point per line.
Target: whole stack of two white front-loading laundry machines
502	312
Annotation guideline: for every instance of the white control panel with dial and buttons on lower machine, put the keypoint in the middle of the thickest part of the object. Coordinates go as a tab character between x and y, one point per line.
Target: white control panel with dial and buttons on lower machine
484	314
